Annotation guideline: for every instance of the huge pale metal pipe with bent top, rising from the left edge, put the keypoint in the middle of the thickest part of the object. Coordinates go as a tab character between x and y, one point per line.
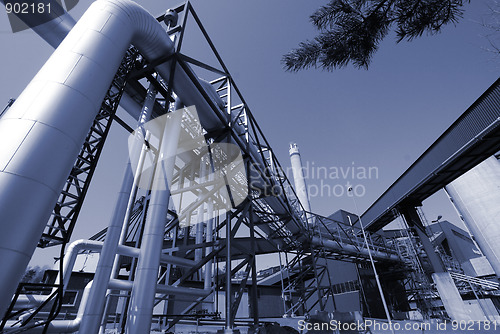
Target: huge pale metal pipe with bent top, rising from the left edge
46	131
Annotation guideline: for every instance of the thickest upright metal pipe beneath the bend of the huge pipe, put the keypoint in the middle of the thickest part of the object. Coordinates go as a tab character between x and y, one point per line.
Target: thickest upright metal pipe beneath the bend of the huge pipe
143	289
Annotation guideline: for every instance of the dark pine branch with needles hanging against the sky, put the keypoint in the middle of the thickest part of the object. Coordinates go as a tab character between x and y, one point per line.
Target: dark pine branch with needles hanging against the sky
350	30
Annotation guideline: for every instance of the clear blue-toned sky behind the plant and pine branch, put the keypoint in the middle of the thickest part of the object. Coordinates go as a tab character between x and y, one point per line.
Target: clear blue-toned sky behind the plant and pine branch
379	119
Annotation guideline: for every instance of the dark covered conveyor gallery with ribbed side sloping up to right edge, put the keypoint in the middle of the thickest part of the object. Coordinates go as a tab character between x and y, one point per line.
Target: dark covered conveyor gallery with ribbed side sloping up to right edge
471	139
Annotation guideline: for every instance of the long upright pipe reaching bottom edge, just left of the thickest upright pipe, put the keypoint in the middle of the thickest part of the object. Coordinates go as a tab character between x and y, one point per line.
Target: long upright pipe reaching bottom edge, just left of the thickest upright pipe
95	306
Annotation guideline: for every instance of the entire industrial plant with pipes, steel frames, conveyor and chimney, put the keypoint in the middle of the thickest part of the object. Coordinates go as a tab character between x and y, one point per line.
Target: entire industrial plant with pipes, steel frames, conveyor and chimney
204	199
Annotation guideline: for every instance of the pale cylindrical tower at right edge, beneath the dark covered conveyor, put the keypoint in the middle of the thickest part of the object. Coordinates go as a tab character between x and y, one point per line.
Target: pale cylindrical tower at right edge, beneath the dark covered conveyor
476	195
